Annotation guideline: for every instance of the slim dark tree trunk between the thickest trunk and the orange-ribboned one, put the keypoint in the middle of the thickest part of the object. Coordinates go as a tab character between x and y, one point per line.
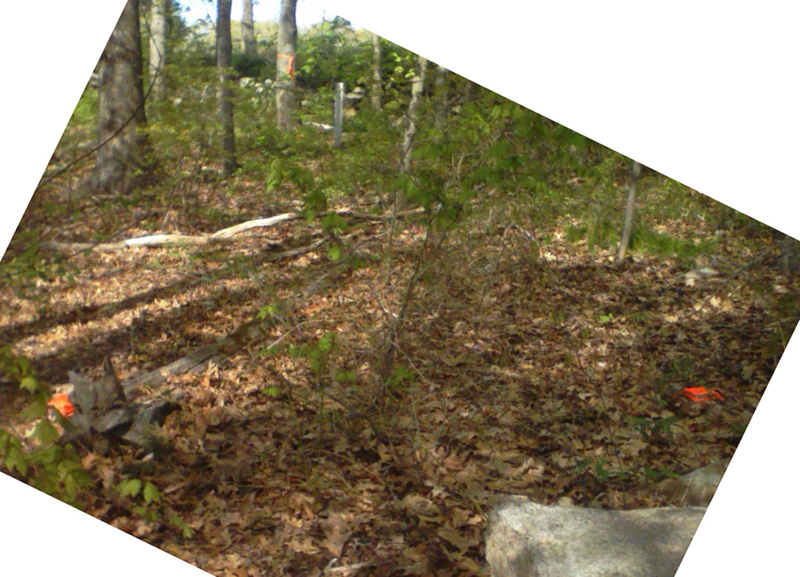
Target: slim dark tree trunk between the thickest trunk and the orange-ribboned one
224	96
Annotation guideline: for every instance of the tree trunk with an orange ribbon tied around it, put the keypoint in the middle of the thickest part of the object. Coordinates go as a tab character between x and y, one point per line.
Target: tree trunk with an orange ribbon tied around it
285	81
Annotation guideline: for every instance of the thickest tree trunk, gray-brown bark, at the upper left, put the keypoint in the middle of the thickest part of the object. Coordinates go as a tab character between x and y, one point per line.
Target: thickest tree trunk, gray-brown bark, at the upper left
125	154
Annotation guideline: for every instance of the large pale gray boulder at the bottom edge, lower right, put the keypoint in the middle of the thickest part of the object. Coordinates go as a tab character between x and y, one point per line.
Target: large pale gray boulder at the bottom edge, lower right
526	539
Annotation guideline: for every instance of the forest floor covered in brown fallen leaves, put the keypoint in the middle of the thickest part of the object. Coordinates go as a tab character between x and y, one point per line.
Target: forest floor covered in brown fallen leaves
370	431
